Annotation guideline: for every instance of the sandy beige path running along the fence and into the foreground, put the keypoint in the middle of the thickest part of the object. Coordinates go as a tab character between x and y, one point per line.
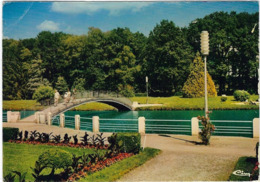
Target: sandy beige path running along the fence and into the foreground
180	160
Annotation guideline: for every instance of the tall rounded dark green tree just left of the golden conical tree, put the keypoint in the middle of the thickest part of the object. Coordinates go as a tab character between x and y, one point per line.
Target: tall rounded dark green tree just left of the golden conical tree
168	56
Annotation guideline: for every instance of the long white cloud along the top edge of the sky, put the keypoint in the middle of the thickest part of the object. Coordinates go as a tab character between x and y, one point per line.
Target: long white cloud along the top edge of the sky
114	8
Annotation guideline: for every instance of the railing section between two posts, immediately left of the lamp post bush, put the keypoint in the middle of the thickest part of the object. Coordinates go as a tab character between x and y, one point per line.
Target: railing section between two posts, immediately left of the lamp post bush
168	126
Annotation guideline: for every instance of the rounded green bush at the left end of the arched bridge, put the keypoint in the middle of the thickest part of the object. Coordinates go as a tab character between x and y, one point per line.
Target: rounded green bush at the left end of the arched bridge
43	93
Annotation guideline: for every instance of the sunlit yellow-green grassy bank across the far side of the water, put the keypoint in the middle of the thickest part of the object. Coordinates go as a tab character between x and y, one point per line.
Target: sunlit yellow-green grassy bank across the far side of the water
169	103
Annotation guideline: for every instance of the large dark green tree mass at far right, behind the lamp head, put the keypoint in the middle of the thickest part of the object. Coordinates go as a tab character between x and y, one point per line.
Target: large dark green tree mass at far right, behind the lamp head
232	60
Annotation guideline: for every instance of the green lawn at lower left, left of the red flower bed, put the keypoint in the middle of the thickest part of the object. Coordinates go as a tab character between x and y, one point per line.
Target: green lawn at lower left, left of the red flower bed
21	157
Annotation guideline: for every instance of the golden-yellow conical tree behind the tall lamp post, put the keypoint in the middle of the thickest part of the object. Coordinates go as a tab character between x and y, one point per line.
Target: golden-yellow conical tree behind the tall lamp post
194	86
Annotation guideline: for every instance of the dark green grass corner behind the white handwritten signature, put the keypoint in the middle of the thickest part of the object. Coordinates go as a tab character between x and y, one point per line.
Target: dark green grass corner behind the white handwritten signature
245	164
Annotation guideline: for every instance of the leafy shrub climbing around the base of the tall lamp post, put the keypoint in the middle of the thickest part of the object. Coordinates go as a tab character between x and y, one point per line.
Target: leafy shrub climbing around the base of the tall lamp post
207	130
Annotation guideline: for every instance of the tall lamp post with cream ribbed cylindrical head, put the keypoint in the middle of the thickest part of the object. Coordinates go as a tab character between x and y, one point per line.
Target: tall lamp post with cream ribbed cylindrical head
204	39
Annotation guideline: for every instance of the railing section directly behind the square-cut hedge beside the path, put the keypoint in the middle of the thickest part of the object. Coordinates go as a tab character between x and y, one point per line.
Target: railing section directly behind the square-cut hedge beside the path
118	125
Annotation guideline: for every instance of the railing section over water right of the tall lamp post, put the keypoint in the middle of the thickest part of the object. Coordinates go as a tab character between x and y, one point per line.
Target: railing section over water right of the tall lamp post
232	128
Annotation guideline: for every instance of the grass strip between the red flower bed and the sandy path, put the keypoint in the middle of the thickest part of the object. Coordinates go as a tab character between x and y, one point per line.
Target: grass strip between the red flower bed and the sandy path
119	169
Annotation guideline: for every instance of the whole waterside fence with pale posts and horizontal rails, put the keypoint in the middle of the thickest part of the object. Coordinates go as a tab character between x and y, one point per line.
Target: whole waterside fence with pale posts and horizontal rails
156	126
